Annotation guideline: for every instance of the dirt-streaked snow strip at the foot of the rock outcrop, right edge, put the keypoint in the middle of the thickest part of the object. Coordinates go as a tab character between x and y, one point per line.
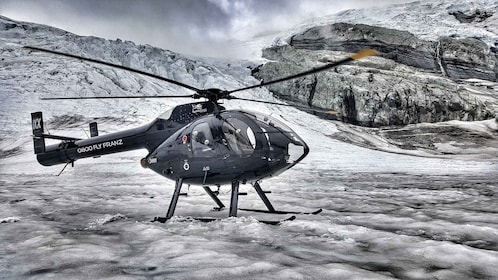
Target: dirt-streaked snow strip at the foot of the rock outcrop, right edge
476	140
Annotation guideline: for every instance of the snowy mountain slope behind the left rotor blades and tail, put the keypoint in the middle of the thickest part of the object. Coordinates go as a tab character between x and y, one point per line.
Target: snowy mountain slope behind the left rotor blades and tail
28	76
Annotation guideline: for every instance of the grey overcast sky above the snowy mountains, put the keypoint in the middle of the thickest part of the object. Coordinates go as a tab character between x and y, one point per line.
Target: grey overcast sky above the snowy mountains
200	27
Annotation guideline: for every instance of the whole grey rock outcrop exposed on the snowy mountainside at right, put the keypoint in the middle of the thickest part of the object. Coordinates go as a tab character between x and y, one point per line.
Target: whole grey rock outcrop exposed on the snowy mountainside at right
411	81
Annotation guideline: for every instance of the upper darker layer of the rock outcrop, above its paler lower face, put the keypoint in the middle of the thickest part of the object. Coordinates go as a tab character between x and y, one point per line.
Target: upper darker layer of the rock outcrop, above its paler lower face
455	58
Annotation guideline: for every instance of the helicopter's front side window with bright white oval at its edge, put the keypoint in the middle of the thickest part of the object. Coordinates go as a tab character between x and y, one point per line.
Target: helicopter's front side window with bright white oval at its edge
239	136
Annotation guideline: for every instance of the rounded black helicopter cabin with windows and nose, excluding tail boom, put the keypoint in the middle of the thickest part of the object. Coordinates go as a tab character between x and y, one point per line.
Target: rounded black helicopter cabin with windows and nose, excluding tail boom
226	146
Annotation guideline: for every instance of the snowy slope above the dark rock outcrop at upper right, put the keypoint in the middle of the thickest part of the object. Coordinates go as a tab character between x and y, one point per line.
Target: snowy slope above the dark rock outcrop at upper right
428	20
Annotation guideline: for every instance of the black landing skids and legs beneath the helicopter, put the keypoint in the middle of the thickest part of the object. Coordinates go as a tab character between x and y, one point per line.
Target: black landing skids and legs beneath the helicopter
233	204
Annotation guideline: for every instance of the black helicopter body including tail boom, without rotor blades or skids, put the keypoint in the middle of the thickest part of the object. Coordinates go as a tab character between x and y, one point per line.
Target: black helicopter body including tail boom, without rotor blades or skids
201	143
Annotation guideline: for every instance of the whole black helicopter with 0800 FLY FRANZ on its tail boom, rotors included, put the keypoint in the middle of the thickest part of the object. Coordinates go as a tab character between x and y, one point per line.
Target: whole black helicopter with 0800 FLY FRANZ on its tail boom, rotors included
199	143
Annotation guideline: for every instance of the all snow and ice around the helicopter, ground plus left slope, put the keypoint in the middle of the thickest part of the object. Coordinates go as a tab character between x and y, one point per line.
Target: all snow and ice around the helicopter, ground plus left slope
386	215
